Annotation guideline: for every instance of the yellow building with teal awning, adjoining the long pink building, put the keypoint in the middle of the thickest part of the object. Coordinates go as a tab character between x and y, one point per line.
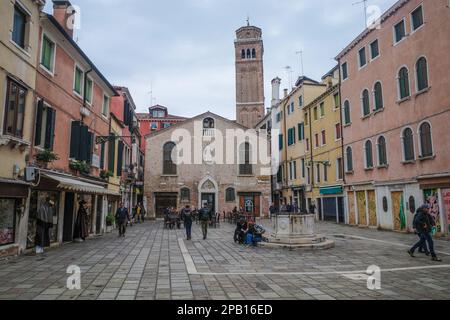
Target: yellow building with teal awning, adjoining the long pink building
324	191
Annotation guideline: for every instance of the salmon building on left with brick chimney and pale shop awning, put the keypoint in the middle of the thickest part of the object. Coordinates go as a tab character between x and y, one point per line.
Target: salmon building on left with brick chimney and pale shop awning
71	115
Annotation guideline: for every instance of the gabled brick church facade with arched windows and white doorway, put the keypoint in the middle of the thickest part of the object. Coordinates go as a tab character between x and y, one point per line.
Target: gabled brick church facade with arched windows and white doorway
207	159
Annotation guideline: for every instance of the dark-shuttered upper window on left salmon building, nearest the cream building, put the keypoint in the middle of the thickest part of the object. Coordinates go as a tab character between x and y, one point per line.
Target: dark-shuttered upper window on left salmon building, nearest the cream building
45	126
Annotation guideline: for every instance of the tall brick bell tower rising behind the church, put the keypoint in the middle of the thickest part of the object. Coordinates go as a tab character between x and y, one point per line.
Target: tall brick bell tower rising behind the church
249	49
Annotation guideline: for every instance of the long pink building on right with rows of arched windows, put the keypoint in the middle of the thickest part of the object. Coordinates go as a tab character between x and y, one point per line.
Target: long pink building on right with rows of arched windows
396	117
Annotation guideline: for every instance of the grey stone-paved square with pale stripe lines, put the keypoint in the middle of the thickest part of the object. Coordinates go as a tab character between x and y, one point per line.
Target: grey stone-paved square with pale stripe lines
152	263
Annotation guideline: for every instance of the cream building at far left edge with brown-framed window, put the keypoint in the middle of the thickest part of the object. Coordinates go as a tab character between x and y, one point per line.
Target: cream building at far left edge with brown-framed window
19	34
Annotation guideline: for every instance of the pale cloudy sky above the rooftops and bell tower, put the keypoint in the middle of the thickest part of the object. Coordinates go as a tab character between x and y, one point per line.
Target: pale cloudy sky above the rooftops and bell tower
185	48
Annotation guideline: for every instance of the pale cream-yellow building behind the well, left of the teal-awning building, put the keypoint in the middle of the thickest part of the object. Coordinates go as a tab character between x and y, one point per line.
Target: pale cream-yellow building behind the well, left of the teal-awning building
291	178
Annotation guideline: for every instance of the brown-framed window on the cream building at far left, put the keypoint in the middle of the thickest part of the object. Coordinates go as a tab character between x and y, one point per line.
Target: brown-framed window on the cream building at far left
14	109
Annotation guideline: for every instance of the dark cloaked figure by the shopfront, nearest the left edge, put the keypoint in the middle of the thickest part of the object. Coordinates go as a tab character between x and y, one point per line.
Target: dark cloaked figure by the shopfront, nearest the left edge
44	224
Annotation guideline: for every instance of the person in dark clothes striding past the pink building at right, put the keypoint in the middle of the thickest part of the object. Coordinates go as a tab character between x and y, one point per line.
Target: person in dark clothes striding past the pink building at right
424	225
